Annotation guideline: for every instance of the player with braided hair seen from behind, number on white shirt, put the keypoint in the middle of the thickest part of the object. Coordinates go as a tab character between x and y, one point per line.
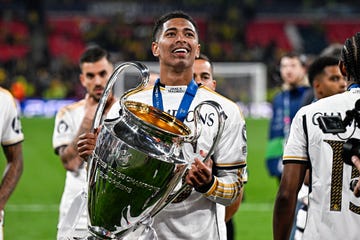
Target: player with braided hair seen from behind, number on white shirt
334	212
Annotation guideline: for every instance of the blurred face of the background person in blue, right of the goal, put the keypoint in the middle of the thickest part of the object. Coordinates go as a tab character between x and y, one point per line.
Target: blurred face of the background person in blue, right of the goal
291	70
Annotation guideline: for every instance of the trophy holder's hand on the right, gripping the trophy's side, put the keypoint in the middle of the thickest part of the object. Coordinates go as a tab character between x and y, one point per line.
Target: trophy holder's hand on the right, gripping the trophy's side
200	174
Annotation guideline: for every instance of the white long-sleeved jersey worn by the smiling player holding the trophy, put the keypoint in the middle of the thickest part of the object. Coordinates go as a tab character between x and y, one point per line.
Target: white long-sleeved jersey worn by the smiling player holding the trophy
197	216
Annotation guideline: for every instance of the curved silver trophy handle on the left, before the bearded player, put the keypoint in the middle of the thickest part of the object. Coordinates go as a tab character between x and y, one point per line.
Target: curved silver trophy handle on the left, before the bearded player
144	71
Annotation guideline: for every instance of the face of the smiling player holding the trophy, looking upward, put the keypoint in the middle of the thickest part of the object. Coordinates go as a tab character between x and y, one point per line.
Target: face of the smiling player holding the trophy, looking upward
177	44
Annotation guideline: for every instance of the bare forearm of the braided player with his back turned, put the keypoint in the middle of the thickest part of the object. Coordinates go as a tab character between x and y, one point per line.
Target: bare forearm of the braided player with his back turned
285	203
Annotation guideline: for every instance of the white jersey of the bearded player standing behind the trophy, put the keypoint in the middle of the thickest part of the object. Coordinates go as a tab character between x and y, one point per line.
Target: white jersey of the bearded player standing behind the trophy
67	123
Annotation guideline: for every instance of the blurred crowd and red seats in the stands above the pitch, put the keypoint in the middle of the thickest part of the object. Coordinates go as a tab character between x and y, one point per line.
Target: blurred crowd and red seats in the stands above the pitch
41	41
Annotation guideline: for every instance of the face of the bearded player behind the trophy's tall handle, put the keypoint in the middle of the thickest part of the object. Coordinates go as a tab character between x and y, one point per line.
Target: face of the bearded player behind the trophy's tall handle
94	77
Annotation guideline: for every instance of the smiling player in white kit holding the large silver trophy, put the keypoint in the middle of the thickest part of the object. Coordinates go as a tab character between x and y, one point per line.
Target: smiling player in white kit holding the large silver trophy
218	180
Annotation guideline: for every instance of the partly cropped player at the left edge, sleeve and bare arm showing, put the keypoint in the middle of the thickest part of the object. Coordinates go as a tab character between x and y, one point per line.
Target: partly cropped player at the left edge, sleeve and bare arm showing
11	137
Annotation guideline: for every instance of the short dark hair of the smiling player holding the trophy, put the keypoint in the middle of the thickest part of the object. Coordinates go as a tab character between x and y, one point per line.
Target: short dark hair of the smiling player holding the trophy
168	16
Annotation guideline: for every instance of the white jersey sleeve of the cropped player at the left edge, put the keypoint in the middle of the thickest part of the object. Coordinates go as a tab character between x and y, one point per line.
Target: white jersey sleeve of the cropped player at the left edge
10	126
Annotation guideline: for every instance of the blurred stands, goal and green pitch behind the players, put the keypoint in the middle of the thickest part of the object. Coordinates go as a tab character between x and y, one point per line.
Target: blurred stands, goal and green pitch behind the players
41	41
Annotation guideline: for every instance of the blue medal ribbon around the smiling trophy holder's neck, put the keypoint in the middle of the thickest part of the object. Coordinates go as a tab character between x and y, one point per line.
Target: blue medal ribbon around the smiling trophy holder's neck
185	102
